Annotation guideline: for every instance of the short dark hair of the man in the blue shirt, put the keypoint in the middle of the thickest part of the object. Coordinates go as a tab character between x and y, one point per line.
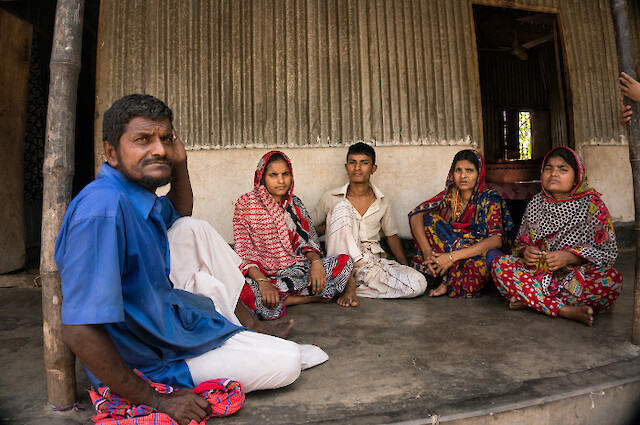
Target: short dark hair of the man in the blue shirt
127	108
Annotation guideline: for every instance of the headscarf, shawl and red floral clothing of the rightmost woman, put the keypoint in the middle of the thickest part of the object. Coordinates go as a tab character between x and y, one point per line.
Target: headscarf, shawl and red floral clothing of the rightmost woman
579	224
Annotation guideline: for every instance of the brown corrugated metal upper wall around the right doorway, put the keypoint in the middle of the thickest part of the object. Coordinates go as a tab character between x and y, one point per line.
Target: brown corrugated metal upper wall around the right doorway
248	73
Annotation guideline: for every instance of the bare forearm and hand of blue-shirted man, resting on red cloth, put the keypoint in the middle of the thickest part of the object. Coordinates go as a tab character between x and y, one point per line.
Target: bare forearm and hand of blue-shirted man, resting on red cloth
96	350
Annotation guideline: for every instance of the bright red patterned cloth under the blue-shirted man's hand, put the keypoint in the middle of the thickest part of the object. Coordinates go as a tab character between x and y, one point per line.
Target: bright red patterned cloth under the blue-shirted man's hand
224	395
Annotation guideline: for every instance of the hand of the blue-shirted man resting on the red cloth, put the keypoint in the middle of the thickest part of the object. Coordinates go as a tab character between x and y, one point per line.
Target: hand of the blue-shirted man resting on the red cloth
183	406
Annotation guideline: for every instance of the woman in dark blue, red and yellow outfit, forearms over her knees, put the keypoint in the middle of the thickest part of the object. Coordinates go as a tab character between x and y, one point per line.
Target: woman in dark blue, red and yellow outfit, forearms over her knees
458	232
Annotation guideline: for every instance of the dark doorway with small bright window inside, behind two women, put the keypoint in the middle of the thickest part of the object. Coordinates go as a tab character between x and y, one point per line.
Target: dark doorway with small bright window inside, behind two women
526	107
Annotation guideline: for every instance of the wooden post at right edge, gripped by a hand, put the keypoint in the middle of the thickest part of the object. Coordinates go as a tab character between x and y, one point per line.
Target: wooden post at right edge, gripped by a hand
620	13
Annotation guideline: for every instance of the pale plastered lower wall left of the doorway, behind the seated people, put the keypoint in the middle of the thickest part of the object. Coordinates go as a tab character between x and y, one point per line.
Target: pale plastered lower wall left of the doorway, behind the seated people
407	174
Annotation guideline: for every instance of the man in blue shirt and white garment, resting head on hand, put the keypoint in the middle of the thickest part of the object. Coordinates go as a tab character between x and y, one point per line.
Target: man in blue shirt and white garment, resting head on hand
120	309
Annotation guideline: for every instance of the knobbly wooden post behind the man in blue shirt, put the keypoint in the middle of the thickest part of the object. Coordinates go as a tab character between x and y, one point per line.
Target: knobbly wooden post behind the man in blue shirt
58	172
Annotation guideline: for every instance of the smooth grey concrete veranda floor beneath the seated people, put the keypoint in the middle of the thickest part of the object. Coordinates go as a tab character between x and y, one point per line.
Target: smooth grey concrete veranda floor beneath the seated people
392	361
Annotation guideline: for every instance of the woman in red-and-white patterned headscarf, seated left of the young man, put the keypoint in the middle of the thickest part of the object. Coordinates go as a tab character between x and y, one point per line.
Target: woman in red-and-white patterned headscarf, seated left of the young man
281	254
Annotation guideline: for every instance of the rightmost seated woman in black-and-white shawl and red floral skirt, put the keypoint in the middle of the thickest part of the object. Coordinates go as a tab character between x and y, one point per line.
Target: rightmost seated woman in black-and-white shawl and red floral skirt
565	248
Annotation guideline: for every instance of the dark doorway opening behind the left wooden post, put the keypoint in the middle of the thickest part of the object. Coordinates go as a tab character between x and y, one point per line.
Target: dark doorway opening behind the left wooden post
41	15
